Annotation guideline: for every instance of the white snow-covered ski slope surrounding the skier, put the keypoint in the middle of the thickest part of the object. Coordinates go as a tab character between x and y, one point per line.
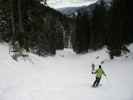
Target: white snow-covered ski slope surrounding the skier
66	76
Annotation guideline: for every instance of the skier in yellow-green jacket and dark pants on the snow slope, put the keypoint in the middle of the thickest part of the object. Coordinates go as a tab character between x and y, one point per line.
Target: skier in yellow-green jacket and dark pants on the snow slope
99	72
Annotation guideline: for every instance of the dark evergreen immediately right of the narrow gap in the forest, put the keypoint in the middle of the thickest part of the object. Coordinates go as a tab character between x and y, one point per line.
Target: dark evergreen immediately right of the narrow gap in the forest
81	43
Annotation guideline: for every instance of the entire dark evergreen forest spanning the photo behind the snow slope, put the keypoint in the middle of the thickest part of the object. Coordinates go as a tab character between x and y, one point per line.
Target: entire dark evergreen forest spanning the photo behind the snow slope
34	27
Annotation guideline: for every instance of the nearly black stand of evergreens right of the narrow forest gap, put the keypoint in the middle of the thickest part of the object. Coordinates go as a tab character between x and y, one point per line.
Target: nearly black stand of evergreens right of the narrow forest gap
109	24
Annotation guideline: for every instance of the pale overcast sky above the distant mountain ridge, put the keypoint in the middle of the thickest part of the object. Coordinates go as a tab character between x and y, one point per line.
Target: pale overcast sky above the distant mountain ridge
68	3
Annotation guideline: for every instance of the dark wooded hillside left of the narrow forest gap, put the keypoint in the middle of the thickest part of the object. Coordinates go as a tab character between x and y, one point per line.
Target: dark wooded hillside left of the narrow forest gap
31	26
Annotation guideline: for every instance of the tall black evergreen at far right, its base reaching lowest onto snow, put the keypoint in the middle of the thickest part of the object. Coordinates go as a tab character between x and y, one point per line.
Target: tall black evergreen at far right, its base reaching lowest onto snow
120	27
